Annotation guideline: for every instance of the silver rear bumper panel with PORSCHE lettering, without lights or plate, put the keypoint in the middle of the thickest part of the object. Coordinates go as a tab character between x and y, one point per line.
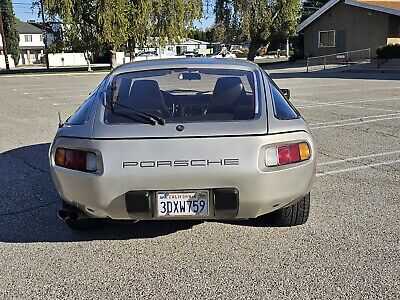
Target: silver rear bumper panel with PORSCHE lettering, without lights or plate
260	189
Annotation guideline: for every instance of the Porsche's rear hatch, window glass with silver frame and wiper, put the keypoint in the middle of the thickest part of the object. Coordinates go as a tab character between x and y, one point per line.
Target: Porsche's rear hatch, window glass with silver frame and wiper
181	103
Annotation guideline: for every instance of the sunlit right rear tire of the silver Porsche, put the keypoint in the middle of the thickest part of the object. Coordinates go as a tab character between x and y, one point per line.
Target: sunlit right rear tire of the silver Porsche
296	214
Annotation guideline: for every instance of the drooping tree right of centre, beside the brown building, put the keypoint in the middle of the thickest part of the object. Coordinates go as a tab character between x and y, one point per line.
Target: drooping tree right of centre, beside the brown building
259	20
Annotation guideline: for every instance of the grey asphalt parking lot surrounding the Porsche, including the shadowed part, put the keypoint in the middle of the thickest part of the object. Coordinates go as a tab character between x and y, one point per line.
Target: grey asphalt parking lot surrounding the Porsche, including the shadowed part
349	249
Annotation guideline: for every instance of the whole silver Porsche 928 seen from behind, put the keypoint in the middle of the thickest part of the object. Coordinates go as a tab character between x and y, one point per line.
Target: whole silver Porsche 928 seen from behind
193	138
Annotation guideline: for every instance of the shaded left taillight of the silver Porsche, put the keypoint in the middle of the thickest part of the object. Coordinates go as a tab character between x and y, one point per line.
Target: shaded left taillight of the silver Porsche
74	159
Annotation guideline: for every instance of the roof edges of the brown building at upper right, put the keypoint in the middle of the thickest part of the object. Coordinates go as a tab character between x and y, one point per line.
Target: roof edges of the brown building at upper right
386	6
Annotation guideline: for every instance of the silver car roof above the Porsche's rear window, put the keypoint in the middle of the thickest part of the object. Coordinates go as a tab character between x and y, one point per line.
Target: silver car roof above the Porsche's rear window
197	62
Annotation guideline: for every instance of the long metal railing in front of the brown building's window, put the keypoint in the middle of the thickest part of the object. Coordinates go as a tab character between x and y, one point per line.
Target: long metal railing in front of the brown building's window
339	59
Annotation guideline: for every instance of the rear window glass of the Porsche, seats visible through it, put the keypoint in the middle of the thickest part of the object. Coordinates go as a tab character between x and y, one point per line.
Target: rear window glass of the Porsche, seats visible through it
182	95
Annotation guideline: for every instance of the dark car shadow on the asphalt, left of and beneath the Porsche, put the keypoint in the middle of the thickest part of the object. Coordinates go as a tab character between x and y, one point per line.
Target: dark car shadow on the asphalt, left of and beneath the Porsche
29	204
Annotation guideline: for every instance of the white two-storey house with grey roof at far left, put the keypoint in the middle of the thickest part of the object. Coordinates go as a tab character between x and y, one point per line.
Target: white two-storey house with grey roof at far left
30	43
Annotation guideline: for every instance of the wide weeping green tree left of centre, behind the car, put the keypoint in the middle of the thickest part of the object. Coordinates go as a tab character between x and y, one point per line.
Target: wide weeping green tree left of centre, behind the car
116	24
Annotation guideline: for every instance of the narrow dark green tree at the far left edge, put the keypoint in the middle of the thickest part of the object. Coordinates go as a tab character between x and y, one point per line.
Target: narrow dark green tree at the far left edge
10	25
